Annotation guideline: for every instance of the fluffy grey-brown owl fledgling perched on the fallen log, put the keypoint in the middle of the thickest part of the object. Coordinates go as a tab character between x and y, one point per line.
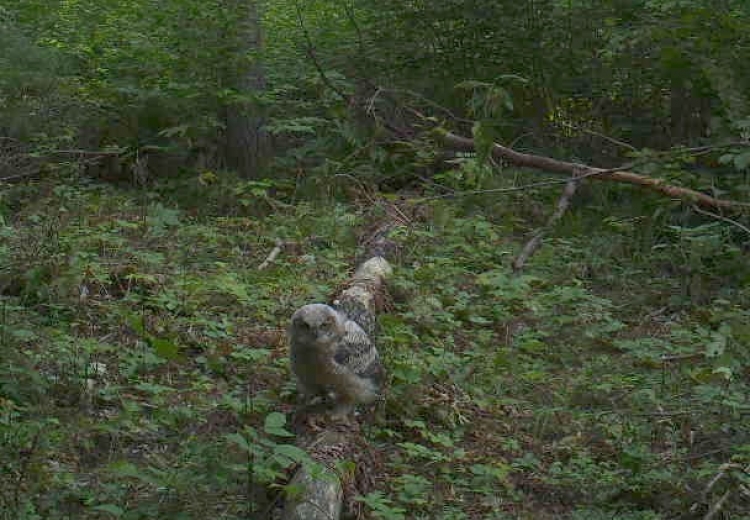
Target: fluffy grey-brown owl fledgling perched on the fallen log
331	354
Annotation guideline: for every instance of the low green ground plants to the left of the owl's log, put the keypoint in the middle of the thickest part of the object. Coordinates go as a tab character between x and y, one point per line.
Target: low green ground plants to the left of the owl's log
136	341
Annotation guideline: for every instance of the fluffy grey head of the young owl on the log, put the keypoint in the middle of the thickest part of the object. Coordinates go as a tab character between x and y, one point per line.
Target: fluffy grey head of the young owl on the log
317	325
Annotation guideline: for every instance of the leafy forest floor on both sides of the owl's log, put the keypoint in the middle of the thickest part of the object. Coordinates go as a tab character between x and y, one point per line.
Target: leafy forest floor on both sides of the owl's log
144	369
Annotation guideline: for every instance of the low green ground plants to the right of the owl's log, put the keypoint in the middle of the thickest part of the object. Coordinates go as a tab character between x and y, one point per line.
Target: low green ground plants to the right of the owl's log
603	401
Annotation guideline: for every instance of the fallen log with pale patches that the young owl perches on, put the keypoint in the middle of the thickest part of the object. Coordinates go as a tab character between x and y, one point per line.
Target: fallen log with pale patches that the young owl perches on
320	495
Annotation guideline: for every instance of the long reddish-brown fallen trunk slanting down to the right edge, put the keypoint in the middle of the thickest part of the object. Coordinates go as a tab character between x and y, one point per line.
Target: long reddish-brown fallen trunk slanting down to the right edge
465	144
